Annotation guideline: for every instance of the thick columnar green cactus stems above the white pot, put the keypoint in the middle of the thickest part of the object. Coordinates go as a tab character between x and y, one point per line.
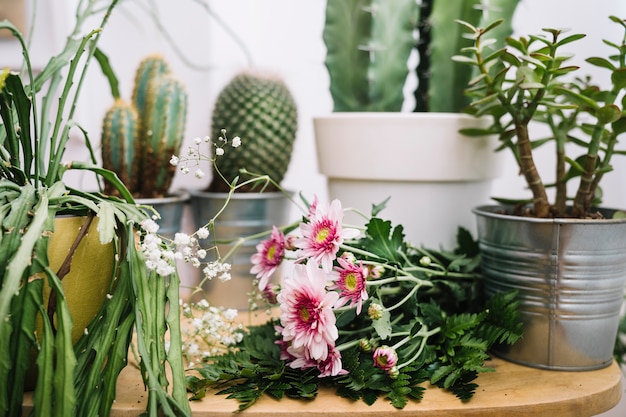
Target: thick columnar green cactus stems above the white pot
369	43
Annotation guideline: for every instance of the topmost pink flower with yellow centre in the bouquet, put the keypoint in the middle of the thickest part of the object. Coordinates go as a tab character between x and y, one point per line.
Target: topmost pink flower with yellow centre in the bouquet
322	234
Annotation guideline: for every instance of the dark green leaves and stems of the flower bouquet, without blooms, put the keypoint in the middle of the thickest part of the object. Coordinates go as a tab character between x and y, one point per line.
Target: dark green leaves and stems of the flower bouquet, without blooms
434	314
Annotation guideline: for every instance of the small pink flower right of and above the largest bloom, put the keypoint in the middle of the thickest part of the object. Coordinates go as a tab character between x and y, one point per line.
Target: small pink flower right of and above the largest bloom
351	283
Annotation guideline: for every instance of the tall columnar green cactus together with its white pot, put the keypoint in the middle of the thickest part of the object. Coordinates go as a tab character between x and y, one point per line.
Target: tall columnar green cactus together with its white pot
371	46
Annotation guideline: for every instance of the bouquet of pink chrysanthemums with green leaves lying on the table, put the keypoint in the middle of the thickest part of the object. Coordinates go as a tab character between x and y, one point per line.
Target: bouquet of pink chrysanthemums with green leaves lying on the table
360	310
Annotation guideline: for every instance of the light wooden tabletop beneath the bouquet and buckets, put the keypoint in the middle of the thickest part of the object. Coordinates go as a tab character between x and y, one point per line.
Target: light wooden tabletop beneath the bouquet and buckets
512	390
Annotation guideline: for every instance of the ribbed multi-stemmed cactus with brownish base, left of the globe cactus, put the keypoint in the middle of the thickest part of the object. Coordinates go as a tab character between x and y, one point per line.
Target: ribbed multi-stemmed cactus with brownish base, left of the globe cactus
139	138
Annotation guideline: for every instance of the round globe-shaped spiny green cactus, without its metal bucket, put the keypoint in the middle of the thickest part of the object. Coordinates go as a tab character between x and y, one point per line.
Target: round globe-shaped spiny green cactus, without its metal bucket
261	110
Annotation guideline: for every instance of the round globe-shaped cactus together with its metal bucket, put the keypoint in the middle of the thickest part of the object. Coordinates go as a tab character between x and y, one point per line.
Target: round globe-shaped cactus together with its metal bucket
260	110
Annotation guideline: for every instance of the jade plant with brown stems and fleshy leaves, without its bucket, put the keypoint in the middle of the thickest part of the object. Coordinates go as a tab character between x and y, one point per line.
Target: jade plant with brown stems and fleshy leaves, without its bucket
531	82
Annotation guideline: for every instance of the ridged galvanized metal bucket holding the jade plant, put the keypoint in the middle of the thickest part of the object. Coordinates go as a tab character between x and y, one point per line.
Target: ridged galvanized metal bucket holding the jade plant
570	274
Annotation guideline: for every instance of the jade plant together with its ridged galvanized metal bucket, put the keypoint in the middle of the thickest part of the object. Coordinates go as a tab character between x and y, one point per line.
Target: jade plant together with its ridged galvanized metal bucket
563	251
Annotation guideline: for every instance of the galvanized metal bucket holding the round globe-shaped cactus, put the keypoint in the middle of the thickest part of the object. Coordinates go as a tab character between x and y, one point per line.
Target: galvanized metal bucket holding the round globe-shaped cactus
247	214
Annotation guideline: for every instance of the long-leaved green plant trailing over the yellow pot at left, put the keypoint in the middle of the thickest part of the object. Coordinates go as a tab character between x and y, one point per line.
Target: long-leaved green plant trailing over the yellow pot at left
37	113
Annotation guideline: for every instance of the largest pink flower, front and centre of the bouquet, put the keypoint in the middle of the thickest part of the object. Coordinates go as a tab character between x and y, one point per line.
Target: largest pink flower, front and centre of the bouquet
306	316
